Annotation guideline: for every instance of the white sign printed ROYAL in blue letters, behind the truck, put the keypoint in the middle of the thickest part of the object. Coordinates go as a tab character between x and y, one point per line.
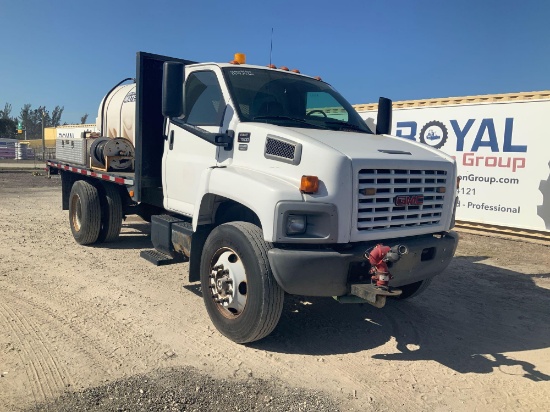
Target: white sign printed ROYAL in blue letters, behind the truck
502	152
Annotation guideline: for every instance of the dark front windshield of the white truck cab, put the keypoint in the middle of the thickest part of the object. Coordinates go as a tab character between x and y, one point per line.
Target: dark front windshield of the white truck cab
285	99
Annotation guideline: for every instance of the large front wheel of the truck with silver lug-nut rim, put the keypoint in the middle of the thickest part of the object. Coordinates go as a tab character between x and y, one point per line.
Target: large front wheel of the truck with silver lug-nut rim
240	293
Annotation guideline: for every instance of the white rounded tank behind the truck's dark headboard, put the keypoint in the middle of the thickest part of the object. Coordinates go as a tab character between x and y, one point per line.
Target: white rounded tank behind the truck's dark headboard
119	113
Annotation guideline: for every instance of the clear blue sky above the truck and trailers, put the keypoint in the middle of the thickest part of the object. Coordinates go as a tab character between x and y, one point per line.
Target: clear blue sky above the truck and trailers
70	53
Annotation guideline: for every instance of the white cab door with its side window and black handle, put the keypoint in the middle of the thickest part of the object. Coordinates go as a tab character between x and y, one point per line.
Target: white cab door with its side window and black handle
187	156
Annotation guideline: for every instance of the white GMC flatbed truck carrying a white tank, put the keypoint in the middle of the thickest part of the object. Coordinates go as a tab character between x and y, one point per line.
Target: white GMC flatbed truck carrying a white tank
267	181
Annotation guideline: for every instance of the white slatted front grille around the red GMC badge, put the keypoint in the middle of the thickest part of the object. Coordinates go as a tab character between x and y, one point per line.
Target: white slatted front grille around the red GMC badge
380	212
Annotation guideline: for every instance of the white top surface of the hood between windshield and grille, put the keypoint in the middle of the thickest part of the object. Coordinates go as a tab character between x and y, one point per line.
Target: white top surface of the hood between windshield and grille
369	146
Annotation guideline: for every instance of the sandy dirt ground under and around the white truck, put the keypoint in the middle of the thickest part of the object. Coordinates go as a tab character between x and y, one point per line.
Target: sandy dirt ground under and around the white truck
75	318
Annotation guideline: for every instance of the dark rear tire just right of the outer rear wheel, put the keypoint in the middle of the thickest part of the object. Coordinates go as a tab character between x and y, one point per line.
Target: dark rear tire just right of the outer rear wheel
111	213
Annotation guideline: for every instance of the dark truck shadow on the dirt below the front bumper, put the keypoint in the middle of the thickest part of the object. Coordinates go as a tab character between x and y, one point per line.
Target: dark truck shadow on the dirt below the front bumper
466	320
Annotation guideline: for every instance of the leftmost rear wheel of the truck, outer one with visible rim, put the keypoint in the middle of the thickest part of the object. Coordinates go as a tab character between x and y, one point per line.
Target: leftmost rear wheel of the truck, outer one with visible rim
84	212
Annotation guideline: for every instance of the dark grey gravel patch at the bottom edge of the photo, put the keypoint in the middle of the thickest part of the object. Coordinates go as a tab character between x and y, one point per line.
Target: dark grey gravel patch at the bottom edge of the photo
186	389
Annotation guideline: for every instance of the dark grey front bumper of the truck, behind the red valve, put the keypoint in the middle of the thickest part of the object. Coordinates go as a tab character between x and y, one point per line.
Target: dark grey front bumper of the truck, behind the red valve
329	272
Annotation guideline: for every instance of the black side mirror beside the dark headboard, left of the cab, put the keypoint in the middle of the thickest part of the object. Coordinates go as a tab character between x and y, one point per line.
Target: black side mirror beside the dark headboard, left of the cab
172	89
